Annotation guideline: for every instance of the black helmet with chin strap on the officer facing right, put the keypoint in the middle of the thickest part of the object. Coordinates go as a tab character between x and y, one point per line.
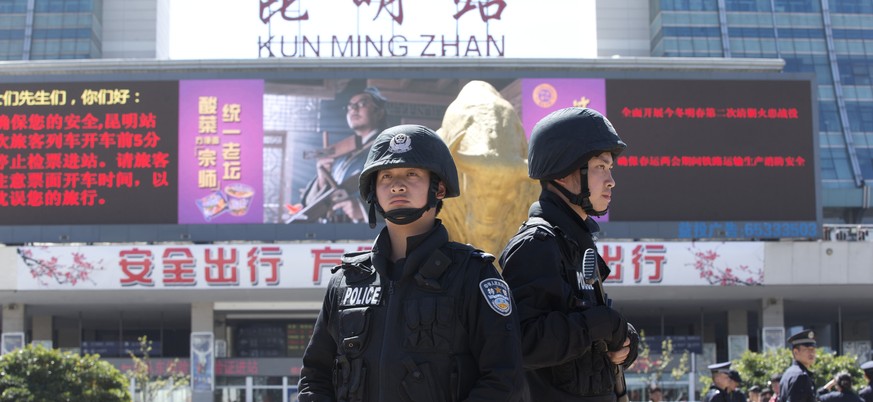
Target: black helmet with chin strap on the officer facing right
564	141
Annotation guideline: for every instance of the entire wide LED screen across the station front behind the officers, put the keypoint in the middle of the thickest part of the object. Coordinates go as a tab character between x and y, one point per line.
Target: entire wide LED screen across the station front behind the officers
707	155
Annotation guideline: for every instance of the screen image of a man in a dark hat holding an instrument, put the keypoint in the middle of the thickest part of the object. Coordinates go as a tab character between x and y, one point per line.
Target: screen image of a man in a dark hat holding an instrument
317	135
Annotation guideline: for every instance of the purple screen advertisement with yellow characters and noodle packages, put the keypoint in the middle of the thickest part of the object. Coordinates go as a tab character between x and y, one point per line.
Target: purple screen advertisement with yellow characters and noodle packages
221	168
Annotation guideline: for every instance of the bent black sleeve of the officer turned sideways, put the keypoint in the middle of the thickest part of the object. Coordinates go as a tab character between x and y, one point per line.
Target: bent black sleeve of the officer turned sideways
551	334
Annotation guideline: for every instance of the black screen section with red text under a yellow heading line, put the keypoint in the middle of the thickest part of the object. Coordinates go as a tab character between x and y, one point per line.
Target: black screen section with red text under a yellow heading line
88	153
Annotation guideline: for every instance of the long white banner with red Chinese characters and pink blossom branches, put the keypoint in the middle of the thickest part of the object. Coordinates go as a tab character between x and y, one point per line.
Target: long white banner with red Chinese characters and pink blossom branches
308	265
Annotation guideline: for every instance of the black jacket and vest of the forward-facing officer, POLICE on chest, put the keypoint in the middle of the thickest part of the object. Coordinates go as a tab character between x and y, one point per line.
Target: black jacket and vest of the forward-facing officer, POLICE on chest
438	325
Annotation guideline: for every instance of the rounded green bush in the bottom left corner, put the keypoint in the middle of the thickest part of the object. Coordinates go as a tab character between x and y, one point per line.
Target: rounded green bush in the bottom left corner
35	374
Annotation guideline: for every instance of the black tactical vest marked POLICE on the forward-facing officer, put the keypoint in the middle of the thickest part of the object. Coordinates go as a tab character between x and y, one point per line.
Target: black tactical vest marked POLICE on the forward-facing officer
413	322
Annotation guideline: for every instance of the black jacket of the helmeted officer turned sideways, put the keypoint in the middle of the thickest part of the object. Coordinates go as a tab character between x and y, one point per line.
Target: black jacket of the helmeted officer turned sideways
557	337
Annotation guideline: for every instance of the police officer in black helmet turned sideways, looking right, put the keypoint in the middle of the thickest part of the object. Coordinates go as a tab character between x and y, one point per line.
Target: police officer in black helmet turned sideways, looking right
570	349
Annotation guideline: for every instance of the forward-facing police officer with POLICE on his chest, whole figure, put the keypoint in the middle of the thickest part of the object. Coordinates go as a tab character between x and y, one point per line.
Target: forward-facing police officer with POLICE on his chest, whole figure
417	318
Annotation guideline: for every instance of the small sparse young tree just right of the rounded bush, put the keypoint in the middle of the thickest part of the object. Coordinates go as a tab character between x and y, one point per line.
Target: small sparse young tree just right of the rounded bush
148	386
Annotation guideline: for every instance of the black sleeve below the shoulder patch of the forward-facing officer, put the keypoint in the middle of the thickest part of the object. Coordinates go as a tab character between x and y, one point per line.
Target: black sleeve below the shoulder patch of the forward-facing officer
494	341
